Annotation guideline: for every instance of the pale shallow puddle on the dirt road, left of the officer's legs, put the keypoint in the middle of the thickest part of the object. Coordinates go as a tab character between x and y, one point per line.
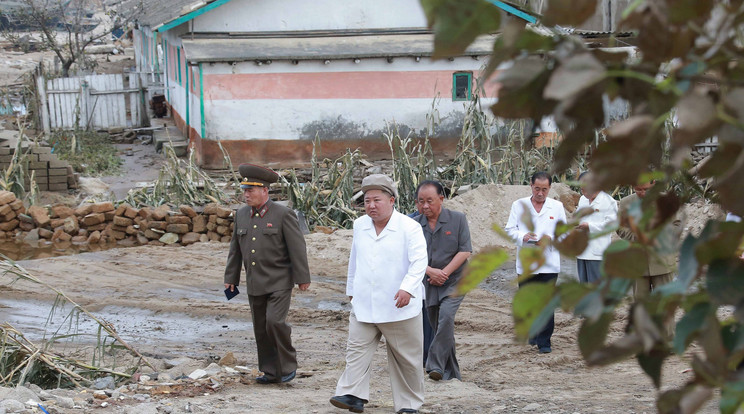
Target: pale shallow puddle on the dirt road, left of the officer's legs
134	325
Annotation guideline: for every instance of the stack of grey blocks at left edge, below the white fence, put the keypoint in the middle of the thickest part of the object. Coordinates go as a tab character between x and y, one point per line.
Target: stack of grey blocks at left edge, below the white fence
50	173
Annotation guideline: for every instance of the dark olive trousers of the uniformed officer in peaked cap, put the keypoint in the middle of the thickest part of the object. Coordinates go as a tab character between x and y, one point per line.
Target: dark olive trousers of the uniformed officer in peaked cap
276	356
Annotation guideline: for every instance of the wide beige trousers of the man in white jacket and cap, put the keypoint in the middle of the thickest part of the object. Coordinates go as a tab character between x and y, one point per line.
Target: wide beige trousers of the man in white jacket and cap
405	348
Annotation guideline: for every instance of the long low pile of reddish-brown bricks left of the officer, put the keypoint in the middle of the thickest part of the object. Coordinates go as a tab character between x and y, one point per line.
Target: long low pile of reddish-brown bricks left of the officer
104	223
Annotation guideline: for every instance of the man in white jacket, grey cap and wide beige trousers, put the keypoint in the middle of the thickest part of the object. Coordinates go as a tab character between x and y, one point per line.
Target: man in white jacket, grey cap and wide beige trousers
386	268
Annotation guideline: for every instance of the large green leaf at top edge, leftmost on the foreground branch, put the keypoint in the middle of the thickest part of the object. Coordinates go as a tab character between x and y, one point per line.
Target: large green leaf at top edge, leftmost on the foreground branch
456	24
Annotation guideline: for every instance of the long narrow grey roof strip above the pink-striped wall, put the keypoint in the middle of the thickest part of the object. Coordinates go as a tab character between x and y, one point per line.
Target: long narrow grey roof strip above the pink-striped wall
329	47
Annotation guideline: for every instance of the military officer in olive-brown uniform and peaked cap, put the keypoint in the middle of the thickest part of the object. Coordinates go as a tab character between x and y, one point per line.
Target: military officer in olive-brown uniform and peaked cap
268	243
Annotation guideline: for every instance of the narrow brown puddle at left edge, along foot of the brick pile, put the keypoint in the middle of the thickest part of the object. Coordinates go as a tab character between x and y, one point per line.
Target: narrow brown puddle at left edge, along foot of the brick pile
19	250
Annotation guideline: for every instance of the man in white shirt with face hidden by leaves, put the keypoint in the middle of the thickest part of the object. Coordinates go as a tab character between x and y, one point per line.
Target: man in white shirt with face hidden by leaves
603	216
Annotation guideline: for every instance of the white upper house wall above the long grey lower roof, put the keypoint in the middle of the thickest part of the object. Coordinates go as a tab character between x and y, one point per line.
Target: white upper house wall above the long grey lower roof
290	15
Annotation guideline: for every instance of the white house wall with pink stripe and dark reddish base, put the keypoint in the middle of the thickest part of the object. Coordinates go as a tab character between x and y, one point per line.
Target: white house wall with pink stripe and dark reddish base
275	111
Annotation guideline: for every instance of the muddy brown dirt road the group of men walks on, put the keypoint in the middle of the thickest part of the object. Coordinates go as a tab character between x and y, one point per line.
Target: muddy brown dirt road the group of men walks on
167	302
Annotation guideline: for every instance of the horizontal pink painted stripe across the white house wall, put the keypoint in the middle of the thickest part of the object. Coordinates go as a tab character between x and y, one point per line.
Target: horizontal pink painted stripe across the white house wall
329	85
